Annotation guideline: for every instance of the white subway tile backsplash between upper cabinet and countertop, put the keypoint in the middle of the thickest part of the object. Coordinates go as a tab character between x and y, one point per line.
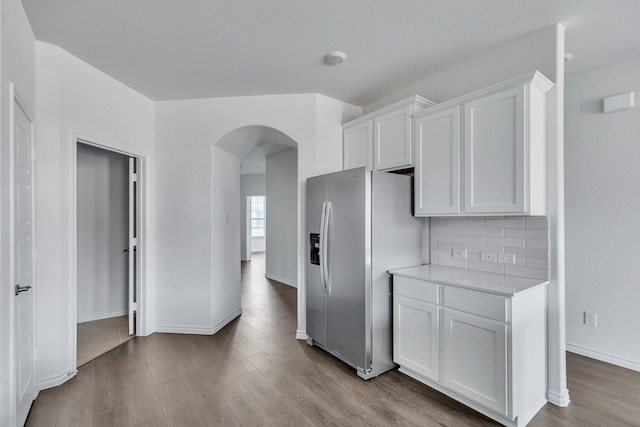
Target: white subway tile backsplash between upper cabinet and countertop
527	238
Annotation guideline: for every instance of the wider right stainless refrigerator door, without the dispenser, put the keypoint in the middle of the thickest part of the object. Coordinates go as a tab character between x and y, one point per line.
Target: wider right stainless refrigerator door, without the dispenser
348	303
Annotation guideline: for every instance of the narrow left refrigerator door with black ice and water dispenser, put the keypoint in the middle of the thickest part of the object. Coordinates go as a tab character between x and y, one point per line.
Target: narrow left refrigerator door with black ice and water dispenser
315	294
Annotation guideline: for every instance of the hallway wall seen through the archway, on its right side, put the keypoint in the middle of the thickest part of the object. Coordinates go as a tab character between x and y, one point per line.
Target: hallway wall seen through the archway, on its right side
282	202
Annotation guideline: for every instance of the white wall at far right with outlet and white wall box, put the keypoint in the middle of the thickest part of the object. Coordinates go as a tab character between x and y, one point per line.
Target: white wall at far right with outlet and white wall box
603	199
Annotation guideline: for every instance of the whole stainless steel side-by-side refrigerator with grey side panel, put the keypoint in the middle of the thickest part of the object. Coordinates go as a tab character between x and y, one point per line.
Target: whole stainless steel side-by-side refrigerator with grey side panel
359	225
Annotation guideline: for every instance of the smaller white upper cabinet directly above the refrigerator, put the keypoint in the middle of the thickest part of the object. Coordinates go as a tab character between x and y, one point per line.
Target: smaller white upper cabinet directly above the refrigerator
382	140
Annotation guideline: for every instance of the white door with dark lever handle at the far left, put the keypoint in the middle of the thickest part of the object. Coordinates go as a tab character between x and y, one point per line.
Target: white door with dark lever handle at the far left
23	248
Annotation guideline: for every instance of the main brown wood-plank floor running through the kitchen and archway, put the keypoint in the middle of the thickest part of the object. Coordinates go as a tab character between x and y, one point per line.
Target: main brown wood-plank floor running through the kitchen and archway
254	372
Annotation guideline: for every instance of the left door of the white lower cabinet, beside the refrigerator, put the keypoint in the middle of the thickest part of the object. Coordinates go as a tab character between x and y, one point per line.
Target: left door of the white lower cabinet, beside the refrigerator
416	336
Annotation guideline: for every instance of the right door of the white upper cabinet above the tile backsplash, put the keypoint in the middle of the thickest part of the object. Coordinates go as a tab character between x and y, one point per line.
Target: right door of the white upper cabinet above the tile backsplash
494	152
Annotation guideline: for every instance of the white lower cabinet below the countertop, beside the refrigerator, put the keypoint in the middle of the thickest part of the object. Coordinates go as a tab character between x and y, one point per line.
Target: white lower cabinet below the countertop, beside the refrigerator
485	350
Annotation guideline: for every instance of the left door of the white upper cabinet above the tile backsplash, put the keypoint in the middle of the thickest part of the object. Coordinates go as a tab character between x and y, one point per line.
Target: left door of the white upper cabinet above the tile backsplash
437	171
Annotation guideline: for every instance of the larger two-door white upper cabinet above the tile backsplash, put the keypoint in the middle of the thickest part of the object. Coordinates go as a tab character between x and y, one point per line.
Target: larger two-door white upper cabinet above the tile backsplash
484	153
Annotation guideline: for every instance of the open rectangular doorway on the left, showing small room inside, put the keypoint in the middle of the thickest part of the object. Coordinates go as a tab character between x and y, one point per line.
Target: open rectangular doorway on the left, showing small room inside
107	255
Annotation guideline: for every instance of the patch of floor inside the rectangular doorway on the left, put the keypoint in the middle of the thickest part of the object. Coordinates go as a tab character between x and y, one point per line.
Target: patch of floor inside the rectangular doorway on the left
99	336
